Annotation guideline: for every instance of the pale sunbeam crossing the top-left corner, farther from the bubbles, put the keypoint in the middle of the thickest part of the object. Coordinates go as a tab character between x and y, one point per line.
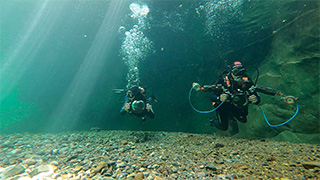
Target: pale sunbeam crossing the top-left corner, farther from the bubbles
26	49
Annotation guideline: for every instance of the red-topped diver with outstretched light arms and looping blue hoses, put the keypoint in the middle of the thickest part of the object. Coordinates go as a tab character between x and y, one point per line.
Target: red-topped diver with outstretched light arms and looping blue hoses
231	95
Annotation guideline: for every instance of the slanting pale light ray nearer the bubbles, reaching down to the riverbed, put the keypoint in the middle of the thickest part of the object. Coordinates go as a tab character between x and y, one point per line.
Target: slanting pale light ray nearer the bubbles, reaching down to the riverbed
75	98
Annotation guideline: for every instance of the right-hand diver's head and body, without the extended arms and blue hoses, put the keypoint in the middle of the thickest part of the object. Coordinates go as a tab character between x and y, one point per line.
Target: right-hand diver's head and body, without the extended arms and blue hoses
237	91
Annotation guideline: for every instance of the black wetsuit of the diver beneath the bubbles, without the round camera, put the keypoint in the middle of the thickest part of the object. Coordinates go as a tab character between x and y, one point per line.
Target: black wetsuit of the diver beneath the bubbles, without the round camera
138	95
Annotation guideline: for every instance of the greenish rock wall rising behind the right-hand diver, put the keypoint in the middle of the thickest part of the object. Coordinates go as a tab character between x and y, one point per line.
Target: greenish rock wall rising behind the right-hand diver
292	67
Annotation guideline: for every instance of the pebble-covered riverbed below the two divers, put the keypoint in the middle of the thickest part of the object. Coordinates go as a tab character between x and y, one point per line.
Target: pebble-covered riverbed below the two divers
152	155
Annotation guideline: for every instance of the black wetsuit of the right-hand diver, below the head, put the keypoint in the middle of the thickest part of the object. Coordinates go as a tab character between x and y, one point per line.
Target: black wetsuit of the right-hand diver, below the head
236	106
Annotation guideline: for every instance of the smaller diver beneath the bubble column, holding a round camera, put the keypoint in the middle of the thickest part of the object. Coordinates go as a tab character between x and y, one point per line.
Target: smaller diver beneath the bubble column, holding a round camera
137	103
